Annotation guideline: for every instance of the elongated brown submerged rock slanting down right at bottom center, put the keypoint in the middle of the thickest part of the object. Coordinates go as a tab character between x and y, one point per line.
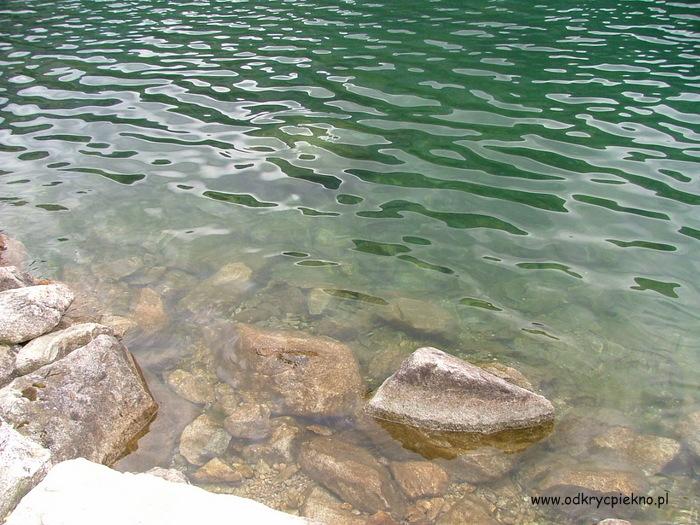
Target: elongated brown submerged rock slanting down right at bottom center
351	473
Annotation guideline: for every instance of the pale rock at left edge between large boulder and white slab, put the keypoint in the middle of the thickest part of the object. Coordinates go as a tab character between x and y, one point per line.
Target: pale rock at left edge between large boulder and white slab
23	463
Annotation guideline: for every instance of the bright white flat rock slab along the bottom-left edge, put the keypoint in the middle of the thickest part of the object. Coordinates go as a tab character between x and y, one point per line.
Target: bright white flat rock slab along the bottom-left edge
79	492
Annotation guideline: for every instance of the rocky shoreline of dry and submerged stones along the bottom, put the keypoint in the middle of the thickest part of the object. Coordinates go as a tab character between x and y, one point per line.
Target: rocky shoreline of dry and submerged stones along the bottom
282	416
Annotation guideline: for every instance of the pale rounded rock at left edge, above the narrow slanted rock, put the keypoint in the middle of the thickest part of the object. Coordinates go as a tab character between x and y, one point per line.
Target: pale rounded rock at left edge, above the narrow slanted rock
26	313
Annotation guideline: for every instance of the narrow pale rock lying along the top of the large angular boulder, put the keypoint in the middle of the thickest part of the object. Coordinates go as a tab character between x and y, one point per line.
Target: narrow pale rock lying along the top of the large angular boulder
55	345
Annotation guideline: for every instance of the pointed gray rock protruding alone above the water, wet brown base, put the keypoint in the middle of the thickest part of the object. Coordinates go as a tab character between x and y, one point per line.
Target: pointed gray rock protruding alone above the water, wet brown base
435	391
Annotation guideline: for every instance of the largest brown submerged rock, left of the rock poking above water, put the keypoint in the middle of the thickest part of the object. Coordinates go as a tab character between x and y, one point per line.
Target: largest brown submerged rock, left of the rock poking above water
296	373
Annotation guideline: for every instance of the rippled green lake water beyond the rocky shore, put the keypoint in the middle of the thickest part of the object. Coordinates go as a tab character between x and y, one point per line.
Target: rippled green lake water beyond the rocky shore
529	172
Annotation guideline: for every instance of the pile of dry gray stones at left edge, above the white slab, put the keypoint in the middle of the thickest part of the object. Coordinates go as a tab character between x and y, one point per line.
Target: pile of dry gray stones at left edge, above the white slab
69	393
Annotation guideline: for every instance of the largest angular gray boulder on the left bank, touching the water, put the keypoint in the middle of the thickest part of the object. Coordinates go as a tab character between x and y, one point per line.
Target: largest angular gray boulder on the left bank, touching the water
92	403
